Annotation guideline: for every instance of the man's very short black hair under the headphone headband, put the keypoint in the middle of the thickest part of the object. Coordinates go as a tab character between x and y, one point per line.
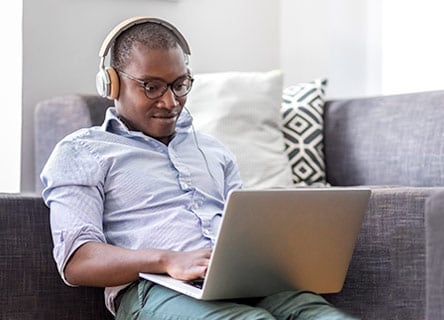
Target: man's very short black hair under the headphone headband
149	34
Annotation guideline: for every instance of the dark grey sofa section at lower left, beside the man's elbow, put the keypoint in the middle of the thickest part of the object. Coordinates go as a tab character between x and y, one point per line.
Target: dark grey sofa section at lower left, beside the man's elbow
31	287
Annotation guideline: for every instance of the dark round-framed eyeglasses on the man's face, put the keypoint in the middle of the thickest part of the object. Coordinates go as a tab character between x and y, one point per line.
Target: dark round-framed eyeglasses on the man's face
156	88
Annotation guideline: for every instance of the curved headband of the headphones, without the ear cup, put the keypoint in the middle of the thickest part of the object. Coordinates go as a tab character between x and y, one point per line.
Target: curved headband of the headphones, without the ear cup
126	24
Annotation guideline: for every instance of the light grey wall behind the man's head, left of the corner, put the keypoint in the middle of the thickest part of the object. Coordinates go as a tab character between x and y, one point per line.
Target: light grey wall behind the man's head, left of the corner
62	39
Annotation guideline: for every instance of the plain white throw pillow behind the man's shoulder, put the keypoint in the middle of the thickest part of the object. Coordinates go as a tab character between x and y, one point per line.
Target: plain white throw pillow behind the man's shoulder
242	110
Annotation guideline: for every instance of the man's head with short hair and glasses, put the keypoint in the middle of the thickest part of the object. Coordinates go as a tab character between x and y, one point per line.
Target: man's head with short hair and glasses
150	65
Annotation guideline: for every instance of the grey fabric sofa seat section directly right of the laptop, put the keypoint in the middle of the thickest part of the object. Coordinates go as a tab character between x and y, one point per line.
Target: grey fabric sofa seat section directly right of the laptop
386	277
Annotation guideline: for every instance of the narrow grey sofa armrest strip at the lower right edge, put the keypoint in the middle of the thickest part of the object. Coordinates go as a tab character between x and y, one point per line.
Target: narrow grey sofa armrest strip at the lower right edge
434	224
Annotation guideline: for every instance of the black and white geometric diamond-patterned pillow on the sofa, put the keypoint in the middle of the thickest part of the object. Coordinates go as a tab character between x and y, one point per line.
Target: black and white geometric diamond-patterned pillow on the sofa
302	111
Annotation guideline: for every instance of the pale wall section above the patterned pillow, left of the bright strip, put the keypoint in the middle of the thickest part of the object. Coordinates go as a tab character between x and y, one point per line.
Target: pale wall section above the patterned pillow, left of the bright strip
336	39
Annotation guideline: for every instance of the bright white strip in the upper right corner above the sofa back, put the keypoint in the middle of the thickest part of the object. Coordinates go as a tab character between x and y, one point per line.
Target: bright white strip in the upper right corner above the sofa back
413	46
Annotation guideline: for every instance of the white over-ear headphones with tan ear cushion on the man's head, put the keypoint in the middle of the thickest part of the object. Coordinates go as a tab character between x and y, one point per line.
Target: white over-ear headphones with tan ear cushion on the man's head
107	80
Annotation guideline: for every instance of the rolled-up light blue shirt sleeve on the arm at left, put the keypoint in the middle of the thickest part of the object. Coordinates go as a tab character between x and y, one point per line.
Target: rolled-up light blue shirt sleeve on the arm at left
73	180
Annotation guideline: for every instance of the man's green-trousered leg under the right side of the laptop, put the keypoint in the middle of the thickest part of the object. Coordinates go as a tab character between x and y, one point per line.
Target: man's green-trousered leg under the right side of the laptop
301	305
